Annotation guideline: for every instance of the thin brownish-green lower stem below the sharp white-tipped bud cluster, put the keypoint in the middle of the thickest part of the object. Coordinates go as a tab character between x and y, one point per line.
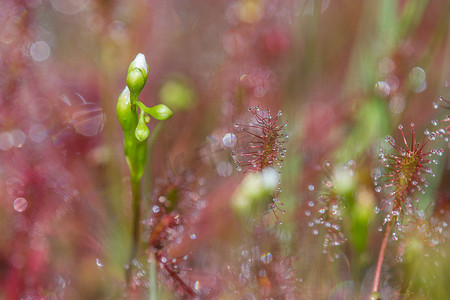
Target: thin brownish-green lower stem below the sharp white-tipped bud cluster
136	193
